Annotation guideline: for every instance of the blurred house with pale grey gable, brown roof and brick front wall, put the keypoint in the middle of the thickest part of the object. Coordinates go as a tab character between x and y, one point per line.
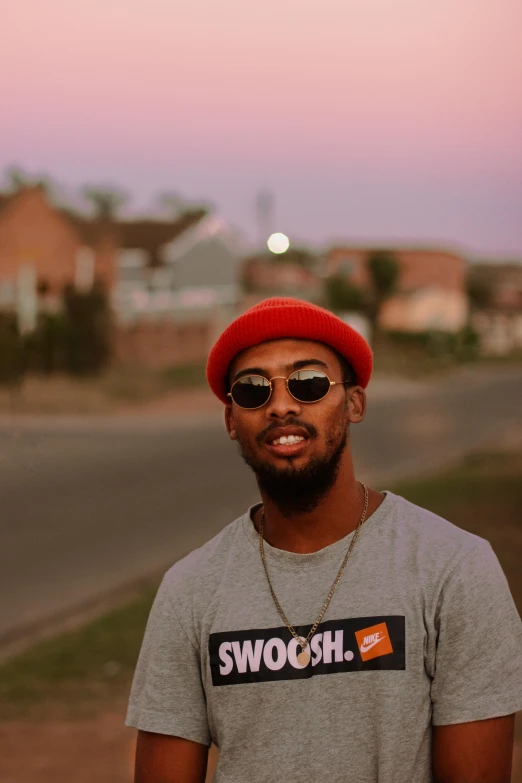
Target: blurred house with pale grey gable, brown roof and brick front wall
176	289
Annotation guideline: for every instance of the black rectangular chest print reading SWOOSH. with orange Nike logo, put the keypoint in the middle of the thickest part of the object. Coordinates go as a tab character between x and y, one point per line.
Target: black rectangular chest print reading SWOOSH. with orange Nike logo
270	654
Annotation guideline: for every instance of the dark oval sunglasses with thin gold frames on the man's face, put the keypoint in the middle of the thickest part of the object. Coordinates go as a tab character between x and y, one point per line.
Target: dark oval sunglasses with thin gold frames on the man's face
254	391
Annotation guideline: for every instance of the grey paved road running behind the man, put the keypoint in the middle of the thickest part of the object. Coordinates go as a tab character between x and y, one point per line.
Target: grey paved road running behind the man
89	506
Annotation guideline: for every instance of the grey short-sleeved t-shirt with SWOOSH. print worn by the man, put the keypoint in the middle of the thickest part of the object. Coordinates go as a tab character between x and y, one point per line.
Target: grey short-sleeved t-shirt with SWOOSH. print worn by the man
421	631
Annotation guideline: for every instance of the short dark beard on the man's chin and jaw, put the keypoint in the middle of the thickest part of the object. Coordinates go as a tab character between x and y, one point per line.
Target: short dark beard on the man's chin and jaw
299	490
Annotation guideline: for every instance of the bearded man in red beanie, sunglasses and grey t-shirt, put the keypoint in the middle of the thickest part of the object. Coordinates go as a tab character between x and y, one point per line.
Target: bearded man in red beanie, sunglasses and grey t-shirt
332	632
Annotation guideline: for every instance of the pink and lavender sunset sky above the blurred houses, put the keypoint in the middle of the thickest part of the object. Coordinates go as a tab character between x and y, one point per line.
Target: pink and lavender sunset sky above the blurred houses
369	120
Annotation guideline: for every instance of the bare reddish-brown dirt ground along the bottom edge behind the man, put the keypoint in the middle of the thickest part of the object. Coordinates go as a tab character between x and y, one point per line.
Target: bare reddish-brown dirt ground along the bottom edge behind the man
97	749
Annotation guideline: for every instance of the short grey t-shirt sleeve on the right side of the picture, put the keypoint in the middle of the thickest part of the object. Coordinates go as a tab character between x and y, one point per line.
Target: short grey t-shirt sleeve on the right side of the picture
478	661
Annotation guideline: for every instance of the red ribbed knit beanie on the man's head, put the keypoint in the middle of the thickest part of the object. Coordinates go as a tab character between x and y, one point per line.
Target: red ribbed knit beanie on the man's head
277	318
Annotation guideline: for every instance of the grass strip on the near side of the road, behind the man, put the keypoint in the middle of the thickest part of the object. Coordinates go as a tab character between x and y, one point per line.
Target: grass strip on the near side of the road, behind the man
79	670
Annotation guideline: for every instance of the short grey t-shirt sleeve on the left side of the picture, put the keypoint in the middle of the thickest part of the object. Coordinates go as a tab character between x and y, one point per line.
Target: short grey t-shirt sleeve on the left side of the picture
167	695
